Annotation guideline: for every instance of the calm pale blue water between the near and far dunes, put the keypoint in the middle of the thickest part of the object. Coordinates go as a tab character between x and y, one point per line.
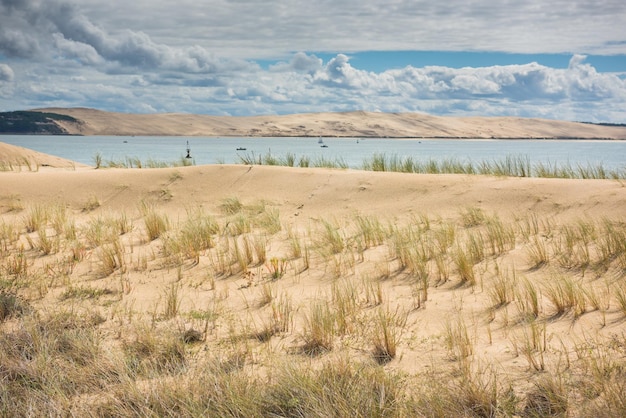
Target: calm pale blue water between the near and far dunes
352	151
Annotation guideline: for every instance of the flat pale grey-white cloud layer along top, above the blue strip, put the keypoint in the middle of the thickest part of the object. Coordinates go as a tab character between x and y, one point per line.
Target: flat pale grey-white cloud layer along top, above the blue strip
258	29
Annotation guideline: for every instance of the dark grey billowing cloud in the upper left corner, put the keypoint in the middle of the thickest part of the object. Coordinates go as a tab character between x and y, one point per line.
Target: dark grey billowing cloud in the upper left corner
64	30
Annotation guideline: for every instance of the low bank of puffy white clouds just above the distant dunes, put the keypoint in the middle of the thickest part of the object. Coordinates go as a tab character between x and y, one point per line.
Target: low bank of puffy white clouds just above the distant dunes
578	92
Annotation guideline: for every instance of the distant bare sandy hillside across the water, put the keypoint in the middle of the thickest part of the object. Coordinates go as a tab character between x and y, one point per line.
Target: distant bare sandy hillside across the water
348	124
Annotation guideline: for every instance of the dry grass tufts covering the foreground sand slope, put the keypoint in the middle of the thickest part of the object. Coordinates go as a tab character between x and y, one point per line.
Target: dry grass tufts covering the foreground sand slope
228	312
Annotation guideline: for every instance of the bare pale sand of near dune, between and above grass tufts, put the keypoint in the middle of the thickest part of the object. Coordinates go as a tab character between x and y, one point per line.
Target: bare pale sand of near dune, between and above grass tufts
309	198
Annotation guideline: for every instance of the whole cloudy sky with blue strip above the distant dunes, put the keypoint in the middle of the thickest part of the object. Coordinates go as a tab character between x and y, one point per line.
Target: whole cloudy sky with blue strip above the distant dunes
561	59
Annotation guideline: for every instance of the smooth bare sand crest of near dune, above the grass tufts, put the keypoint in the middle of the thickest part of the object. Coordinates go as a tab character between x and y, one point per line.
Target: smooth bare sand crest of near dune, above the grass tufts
324	192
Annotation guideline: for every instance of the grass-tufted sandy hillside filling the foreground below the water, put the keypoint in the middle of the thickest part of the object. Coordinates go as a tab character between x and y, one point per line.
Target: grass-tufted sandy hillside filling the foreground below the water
380	251
